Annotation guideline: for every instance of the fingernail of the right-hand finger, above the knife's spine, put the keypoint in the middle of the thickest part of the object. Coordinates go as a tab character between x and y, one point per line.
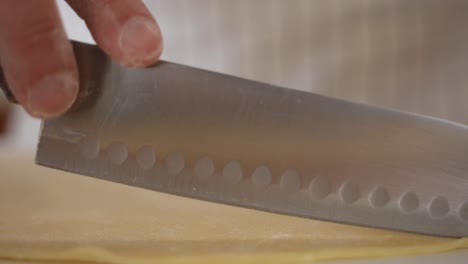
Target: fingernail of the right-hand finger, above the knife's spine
140	41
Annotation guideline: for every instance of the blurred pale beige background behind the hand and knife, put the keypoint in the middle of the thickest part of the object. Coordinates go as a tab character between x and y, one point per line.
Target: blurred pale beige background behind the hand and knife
409	55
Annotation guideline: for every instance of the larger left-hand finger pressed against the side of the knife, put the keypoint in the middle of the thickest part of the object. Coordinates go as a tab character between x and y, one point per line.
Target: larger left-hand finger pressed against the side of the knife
37	57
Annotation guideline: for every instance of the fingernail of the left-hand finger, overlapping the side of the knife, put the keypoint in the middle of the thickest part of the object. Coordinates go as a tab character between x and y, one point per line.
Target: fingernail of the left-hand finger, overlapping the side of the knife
52	96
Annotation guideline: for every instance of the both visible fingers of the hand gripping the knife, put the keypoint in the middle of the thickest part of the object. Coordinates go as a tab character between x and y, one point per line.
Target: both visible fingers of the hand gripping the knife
37	57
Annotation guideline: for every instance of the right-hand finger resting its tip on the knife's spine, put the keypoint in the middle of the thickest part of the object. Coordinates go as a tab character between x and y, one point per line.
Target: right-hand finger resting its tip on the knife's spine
125	29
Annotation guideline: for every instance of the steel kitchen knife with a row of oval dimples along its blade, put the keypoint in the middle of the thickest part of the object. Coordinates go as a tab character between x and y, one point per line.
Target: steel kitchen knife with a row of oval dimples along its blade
205	135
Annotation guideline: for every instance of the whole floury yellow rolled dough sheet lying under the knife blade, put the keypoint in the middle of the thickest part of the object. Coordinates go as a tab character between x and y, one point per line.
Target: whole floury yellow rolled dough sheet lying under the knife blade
49	215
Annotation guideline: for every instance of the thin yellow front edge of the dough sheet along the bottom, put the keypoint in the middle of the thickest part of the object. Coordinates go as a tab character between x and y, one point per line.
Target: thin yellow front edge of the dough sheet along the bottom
100	255
